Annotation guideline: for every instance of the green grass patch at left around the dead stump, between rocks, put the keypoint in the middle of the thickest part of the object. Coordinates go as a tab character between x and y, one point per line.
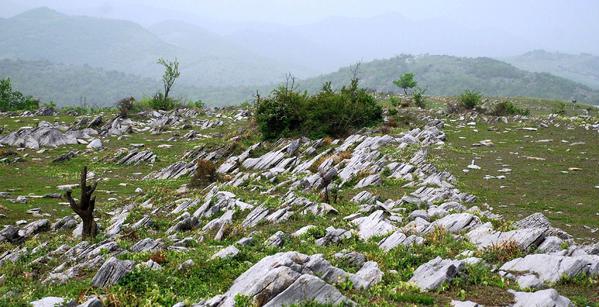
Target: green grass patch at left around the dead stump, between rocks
37	176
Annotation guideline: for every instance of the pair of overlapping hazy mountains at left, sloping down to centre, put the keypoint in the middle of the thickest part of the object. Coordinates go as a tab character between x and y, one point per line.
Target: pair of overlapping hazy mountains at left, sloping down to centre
207	60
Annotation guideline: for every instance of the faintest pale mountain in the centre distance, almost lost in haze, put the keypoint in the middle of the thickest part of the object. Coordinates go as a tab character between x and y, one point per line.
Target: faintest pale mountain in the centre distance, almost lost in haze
339	41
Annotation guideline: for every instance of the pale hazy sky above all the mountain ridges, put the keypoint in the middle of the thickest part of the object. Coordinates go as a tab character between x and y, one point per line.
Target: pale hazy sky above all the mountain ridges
541	22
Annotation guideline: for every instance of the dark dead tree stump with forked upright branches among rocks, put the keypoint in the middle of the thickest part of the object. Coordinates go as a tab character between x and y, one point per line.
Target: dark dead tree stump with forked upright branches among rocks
85	207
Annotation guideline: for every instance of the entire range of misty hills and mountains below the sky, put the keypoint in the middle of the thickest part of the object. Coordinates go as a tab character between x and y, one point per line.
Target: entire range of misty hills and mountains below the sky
63	58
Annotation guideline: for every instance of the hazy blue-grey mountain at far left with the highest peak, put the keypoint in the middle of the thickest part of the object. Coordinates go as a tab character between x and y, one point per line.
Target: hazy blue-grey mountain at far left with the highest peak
44	34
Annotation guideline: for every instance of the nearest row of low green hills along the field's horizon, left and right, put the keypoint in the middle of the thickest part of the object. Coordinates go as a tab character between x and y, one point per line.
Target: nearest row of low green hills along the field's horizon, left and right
440	75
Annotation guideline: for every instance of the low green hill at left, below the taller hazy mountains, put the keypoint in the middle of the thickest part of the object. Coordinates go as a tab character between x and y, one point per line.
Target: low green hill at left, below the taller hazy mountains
73	84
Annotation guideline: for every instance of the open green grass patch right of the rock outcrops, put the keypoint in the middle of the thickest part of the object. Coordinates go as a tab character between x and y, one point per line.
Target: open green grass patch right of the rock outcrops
554	170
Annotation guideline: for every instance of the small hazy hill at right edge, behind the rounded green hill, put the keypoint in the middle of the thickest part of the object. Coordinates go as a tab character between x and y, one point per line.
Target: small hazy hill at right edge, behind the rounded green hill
583	68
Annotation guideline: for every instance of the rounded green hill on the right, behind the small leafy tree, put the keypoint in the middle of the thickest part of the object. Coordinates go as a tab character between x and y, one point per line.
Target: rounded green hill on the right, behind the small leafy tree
448	75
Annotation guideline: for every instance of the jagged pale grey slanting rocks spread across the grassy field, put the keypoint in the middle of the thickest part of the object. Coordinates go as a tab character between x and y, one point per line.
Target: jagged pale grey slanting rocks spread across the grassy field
297	166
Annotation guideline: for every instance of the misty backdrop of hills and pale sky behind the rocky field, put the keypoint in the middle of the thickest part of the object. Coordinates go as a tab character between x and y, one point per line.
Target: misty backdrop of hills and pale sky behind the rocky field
226	54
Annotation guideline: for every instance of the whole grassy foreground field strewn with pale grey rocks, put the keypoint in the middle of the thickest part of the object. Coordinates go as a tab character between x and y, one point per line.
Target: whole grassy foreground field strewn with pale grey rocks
410	214
